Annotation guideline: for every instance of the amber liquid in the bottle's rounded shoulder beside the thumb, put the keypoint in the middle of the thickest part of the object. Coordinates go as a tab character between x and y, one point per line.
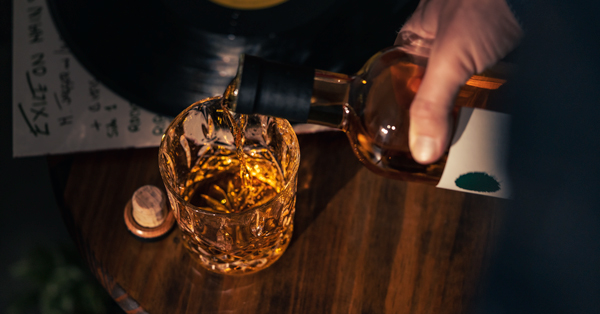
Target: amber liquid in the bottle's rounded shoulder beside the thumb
375	107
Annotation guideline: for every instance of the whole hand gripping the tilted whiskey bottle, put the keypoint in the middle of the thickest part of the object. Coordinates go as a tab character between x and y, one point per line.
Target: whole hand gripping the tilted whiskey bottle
468	36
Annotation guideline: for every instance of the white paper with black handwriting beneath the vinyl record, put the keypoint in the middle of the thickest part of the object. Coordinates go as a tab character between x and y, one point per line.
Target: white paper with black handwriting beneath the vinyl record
58	107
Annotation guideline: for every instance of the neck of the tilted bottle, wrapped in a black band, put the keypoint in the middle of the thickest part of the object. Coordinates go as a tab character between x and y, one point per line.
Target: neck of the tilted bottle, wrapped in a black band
295	93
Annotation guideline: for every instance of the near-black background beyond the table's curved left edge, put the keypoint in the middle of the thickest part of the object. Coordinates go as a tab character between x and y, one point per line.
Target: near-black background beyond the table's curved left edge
31	228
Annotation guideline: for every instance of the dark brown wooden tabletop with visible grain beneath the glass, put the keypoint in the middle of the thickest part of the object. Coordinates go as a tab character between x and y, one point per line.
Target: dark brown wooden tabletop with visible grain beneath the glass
361	244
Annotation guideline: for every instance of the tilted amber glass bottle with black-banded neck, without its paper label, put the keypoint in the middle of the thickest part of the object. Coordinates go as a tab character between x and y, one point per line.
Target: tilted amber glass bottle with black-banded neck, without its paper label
372	106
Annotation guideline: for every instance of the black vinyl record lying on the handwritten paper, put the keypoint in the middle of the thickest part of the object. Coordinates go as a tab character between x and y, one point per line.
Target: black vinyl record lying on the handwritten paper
166	54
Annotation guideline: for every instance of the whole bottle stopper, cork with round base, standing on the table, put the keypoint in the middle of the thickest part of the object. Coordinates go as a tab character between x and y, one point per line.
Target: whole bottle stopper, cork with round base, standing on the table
146	214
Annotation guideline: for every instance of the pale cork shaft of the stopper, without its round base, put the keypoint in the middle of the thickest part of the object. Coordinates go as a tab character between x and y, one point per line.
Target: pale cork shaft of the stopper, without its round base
149	206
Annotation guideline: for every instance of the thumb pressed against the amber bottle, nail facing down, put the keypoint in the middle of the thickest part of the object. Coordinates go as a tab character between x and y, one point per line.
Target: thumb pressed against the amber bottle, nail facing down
430	122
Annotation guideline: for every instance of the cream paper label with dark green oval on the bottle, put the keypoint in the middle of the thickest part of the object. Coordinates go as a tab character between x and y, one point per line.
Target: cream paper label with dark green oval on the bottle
477	158
